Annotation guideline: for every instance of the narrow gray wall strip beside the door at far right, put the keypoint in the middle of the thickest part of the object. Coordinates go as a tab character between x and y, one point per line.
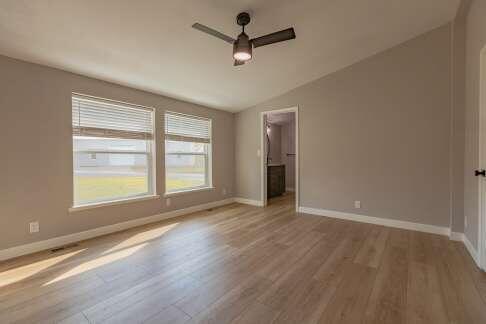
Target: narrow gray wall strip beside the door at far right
475	42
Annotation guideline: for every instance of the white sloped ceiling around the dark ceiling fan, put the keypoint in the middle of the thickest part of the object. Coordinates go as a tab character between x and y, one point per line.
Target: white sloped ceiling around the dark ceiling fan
150	45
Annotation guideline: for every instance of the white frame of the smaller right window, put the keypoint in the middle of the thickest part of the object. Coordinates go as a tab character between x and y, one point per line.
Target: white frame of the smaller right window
208	160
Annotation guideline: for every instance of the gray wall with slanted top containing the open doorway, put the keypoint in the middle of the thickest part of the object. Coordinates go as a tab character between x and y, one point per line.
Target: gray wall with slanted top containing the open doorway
378	131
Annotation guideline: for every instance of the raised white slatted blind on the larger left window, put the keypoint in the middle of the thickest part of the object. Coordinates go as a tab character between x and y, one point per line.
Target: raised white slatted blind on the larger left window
105	118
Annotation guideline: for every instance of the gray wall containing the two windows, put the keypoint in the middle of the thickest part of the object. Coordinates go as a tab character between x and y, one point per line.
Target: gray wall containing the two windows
36	160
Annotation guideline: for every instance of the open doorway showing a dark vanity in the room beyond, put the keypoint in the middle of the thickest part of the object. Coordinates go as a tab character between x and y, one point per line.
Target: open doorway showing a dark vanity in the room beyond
280	156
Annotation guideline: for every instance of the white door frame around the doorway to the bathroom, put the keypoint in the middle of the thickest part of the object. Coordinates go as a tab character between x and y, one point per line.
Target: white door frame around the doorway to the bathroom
263	154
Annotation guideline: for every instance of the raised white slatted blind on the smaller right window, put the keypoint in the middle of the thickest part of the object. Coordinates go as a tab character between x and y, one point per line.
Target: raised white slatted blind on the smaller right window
179	127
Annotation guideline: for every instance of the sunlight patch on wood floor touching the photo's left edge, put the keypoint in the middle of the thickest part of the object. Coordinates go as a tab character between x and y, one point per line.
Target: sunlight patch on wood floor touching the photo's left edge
17	274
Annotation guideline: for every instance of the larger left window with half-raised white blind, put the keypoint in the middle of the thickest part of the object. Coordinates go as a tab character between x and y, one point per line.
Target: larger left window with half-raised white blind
112	150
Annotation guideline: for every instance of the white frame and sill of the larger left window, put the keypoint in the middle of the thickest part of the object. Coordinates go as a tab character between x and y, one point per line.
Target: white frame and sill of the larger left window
151	163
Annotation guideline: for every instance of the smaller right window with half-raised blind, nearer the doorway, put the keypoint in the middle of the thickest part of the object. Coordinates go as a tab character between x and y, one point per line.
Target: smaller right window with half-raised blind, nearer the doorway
187	152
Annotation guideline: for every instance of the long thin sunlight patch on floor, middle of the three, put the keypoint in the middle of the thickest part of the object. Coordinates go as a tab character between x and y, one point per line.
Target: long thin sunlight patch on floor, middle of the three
97	262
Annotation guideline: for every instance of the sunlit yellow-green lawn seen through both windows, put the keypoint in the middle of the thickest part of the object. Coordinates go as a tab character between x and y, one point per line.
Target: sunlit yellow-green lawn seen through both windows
98	188
